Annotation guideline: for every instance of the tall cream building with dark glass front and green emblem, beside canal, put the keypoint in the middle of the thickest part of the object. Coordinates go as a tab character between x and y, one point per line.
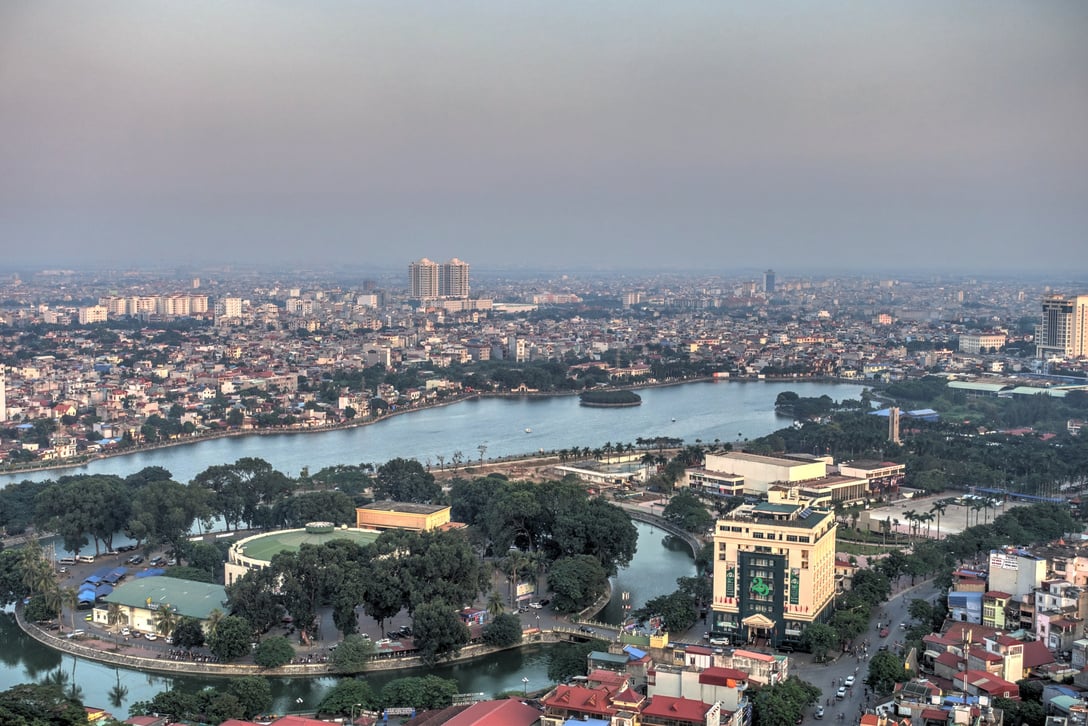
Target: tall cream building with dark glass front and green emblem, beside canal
774	570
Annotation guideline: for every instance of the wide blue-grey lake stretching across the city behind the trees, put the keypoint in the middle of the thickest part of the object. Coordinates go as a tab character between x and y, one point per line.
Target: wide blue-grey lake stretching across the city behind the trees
707	412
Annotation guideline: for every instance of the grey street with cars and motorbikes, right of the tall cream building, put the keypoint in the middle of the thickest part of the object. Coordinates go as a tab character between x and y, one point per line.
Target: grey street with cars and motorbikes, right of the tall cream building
827	678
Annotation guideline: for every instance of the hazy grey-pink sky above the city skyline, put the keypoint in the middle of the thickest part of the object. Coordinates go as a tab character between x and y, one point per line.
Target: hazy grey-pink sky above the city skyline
710	136
